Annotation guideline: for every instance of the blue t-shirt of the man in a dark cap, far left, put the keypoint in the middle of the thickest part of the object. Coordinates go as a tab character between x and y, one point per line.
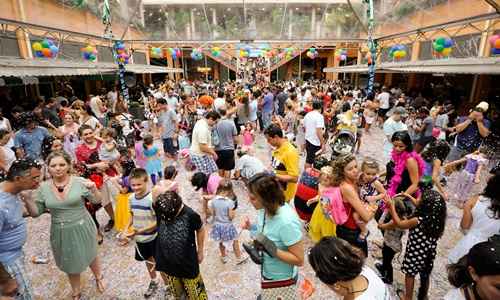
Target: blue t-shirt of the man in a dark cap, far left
31	142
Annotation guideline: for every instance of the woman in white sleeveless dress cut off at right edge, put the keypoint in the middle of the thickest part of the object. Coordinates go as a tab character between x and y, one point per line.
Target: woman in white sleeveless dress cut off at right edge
481	219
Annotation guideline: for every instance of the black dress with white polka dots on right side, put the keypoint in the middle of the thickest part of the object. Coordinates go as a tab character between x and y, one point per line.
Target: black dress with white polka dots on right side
420	252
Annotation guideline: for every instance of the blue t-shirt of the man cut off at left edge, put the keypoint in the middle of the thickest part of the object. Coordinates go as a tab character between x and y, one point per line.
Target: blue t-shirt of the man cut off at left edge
12	228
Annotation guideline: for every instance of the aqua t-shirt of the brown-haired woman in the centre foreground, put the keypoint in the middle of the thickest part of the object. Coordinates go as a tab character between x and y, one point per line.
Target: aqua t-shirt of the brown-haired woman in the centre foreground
284	230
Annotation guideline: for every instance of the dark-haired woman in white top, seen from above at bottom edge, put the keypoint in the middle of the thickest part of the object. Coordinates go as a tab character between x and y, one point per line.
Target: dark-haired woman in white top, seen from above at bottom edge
342	268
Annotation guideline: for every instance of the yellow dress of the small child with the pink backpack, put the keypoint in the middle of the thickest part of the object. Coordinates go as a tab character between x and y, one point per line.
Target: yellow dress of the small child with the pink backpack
321	225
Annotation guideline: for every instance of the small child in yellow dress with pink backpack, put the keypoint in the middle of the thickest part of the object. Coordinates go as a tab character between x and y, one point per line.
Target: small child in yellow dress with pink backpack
323	221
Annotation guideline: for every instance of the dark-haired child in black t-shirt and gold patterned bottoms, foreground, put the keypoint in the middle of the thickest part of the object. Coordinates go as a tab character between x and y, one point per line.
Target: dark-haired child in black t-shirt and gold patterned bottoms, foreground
181	240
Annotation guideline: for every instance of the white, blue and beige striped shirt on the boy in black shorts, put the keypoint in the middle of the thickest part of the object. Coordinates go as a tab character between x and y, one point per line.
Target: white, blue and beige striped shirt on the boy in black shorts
142	216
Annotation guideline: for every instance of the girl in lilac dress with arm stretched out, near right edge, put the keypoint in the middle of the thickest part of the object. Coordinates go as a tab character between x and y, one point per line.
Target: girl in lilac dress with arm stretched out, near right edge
470	175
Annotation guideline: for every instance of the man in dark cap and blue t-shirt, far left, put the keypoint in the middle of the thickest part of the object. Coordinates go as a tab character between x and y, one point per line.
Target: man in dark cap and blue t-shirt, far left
29	139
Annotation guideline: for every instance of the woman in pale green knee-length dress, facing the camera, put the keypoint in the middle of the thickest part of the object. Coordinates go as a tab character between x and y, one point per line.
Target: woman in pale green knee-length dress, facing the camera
72	231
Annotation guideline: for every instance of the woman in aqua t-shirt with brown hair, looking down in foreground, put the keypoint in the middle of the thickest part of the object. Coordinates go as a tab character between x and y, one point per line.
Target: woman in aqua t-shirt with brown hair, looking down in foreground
278	230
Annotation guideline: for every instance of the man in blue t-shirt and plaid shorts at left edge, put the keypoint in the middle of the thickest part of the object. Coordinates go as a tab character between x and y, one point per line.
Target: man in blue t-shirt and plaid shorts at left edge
23	175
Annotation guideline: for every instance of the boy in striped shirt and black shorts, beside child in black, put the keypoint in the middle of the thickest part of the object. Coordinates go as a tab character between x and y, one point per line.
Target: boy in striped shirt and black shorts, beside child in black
143	223
